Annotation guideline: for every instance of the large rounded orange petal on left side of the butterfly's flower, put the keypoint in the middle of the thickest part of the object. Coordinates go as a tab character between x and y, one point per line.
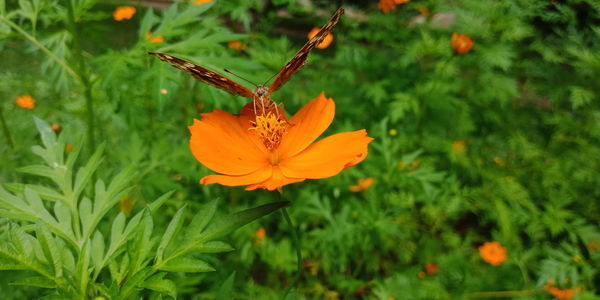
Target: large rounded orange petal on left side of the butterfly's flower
220	143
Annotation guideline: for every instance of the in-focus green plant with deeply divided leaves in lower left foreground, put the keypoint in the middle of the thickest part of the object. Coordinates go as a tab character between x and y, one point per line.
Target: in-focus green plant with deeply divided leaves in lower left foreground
61	234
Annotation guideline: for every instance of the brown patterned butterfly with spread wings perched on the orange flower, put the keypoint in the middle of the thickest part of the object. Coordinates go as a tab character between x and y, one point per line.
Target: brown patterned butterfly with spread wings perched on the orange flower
261	95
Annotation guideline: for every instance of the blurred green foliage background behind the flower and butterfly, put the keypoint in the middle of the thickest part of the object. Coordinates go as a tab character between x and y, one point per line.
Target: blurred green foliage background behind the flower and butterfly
500	143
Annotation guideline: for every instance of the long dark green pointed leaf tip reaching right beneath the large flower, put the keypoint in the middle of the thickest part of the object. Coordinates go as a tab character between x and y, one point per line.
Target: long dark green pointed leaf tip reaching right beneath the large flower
239	219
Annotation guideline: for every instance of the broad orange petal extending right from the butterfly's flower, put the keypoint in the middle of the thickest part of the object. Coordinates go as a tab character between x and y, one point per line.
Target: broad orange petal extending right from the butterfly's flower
328	156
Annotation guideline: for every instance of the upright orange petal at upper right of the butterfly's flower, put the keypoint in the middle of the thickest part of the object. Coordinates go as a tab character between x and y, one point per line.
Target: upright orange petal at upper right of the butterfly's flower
307	125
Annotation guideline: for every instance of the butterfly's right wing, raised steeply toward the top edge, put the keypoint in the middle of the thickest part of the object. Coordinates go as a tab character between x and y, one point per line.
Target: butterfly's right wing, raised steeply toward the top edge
300	58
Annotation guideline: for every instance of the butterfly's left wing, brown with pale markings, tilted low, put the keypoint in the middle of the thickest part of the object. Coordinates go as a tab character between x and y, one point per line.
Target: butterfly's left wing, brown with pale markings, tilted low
205	75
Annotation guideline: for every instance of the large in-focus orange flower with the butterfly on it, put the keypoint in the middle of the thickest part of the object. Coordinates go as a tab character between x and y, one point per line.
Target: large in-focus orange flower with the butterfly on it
269	151
